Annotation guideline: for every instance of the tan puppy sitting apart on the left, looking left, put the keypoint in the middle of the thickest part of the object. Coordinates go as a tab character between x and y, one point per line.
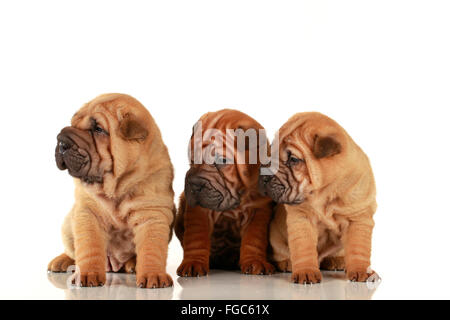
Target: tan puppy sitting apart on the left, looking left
123	193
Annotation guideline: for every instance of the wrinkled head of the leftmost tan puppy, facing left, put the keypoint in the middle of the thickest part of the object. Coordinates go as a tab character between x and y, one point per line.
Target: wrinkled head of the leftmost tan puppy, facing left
103	133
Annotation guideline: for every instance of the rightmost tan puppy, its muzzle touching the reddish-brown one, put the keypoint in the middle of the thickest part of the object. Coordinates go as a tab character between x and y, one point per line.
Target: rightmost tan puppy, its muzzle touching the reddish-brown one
326	194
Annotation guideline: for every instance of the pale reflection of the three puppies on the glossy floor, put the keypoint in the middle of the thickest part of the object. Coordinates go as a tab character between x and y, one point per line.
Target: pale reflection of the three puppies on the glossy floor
221	285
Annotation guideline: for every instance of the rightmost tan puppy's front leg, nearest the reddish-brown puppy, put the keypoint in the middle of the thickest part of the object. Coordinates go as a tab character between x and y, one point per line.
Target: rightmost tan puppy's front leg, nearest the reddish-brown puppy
302	237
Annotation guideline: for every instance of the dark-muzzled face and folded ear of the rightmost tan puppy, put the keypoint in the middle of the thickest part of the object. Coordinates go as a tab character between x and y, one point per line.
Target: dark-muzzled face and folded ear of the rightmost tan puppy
291	184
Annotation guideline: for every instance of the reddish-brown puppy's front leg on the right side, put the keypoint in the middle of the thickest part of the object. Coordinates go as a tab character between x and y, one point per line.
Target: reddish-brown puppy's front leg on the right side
253	259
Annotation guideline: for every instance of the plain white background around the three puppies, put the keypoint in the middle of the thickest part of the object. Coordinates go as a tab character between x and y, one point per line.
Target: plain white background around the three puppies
379	68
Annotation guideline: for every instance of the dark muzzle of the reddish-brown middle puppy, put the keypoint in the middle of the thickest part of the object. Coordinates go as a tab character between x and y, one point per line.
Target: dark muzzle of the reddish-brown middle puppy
199	191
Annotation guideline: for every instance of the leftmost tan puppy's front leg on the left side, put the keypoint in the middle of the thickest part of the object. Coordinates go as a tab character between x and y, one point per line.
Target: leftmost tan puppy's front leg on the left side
90	248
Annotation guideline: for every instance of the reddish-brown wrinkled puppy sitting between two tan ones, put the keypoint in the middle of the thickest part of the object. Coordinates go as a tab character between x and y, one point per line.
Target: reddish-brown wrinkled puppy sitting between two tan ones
222	220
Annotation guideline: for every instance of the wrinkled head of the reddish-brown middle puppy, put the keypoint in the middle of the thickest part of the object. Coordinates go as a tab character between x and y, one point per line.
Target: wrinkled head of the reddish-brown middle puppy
225	171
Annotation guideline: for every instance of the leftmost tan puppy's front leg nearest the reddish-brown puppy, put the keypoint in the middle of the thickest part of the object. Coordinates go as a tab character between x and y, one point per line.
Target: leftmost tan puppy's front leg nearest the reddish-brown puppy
151	233
